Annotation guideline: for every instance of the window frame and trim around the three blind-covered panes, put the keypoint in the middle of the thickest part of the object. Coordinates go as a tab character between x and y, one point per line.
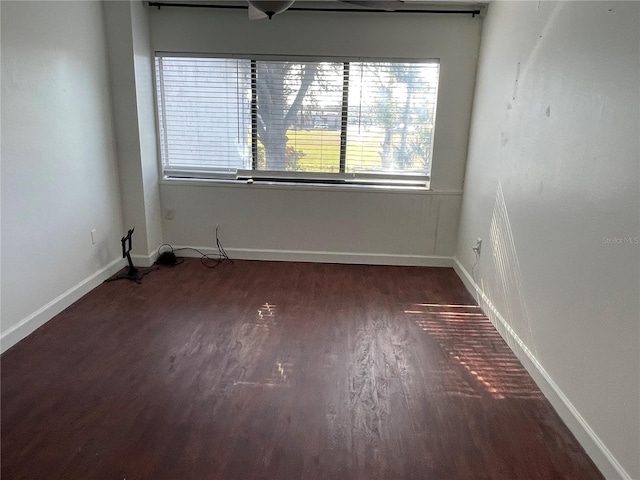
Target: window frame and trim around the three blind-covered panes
400	180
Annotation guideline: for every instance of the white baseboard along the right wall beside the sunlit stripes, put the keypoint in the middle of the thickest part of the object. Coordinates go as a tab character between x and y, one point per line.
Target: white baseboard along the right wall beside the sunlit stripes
593	445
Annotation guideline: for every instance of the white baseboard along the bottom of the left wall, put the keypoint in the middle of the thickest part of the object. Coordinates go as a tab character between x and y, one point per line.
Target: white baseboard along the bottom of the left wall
29	324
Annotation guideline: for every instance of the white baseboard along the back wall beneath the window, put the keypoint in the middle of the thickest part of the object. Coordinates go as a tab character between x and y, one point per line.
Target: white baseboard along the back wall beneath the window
324	257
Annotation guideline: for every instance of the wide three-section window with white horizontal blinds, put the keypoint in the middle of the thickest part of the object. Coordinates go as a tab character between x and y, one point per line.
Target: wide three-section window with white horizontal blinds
296	120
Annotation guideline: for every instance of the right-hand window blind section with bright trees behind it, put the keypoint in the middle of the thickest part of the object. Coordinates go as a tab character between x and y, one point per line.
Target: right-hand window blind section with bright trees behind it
391	117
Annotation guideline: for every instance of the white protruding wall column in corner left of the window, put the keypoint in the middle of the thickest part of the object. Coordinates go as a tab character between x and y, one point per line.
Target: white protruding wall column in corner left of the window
131	67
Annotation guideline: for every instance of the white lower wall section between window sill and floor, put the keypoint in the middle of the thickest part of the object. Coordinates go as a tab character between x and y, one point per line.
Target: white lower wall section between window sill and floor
315	224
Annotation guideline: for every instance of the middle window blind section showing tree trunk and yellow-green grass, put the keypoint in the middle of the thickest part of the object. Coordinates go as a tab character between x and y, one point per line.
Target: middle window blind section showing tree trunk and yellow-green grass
299	109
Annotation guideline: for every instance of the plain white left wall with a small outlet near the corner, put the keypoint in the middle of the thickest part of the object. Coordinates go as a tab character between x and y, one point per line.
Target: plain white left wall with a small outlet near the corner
59	178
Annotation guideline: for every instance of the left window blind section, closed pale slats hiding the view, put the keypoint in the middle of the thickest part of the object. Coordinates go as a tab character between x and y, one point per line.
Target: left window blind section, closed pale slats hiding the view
204	108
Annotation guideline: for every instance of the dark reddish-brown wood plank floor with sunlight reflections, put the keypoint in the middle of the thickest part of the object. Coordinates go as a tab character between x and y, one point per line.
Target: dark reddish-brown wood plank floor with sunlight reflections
267	370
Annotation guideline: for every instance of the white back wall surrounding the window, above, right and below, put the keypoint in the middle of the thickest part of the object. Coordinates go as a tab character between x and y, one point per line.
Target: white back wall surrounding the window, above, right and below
323	225
